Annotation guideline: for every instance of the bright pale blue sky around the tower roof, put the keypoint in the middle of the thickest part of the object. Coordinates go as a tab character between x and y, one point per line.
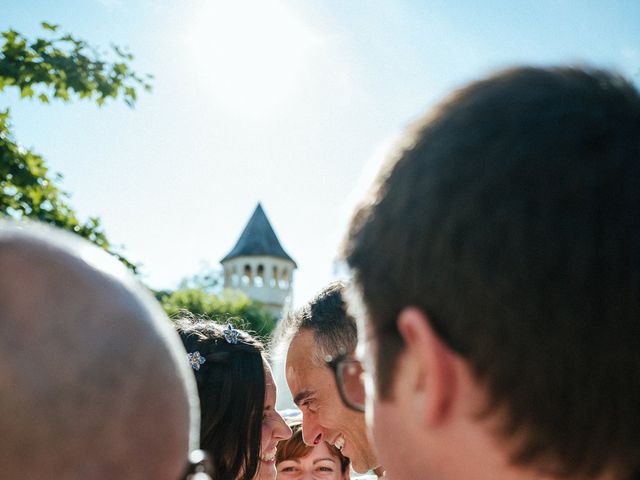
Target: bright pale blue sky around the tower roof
291	103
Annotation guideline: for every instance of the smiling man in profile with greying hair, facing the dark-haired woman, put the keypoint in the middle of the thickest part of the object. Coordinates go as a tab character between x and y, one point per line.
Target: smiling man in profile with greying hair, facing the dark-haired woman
324	379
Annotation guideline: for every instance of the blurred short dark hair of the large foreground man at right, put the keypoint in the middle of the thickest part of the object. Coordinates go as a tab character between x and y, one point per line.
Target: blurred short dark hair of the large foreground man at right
511	217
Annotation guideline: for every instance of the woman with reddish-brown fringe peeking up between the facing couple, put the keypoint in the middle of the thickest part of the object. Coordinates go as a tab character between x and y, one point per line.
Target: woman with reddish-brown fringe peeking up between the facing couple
297	461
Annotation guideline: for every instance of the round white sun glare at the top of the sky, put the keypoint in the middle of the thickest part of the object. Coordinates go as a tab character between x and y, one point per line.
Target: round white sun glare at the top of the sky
248	53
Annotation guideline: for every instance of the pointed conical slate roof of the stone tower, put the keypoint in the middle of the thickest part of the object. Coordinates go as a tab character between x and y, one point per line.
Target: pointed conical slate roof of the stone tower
258	238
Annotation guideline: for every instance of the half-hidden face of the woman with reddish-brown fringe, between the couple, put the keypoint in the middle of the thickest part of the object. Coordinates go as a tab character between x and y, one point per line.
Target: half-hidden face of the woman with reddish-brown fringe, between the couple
319	464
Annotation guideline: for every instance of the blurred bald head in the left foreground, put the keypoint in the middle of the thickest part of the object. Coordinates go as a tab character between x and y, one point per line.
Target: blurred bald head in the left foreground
93	382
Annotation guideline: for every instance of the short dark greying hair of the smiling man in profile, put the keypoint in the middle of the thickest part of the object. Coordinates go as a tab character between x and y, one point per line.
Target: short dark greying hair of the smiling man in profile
326	316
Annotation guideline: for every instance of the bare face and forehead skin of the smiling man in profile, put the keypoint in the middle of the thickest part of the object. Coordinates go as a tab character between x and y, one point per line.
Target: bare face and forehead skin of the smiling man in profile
324	415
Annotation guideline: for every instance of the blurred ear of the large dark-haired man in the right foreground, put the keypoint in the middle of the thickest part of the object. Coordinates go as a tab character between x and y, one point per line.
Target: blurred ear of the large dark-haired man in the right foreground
435	377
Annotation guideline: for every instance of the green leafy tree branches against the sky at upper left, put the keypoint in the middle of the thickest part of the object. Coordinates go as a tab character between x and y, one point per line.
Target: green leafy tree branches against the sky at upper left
65	68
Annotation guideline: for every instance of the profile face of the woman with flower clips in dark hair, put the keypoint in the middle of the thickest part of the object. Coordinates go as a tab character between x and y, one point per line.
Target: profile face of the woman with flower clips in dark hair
274	429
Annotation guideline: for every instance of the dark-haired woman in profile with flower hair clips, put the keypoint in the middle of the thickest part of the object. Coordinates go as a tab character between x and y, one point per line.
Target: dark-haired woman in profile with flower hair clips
240	427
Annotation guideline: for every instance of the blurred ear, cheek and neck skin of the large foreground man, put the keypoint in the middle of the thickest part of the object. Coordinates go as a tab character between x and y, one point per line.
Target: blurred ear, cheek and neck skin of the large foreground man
430	414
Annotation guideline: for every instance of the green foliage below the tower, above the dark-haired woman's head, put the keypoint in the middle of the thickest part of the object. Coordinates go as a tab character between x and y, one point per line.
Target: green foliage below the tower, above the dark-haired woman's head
231	306
